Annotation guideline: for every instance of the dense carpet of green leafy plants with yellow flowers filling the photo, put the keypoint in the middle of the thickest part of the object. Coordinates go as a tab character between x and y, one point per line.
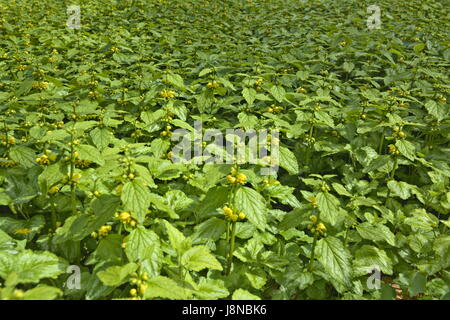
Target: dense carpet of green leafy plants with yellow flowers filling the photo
87	184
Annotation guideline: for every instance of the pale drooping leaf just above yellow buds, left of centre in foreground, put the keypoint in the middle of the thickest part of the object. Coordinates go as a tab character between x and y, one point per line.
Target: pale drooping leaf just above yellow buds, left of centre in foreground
136	198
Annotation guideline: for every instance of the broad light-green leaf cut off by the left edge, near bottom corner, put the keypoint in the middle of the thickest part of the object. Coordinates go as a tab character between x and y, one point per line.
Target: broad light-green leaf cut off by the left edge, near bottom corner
31	266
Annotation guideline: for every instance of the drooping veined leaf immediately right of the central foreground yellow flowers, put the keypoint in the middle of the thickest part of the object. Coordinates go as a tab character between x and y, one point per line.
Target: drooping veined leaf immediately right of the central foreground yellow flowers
253	205
